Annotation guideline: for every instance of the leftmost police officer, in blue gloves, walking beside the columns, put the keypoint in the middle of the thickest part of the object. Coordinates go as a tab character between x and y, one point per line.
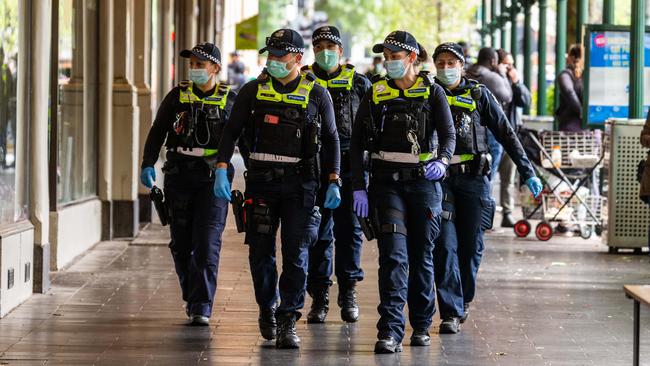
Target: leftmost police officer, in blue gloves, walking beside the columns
190	121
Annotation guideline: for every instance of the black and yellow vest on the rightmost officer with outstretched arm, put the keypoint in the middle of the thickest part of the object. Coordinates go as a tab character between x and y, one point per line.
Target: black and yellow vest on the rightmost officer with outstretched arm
471	134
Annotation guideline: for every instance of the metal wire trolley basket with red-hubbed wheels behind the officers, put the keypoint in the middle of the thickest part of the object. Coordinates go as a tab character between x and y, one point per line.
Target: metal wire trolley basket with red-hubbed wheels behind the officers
571	196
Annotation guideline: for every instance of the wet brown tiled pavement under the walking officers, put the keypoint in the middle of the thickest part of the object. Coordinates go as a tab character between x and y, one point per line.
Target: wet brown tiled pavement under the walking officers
557	303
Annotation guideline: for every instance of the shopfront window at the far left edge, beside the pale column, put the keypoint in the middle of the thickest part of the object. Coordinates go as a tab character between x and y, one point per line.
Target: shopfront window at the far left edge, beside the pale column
13	205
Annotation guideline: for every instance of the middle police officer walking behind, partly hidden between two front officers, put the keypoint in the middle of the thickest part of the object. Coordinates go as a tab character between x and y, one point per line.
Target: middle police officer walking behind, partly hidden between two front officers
346	87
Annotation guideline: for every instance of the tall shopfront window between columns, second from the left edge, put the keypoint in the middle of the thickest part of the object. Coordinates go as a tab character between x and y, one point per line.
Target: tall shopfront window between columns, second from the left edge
77	101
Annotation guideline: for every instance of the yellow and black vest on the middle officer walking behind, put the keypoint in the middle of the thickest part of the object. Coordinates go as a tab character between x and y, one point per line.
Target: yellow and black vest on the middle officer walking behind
346	102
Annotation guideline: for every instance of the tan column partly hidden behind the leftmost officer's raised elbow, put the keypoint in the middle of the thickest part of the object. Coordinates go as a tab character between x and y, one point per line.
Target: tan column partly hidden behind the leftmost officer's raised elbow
141	75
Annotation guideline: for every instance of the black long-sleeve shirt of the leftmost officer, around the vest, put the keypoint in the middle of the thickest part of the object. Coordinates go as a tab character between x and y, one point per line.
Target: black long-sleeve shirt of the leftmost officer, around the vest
162	129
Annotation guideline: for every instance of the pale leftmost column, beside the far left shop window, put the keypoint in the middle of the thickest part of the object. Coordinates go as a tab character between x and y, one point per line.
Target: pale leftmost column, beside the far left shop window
39	211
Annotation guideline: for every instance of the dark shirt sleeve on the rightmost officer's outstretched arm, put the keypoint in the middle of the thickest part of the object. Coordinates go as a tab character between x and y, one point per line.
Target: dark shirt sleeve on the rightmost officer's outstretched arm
493	117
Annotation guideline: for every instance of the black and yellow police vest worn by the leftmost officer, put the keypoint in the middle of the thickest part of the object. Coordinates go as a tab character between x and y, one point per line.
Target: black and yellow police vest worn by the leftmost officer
200	125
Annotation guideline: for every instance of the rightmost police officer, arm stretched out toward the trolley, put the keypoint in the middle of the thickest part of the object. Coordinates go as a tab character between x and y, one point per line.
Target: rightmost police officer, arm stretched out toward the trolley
468	209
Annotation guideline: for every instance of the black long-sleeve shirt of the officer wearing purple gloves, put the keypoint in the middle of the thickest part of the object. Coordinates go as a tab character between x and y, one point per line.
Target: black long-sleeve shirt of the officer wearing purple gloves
440	116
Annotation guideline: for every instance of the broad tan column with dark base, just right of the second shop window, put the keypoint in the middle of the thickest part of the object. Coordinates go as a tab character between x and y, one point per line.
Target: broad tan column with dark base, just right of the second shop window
125	124
